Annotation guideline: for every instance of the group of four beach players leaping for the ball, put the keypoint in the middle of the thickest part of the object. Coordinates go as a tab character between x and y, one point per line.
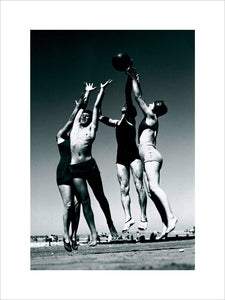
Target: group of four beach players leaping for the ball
77	167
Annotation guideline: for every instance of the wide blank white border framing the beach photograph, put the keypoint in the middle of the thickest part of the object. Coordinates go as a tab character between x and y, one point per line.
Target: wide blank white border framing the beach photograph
207	18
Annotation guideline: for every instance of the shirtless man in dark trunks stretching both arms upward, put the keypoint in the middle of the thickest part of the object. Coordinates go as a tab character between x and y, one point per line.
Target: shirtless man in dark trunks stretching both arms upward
83	167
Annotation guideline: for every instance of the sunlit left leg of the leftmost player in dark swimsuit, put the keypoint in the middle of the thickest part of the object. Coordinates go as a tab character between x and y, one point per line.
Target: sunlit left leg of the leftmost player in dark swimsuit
67	197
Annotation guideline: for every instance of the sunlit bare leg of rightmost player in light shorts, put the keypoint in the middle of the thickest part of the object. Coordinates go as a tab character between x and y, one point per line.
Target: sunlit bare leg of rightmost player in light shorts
159	197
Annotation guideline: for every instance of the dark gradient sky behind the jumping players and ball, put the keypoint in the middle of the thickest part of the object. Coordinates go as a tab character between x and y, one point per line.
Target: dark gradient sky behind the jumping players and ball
61	61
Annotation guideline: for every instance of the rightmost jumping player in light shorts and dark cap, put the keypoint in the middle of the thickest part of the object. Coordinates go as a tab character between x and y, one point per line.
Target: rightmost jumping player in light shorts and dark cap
150	156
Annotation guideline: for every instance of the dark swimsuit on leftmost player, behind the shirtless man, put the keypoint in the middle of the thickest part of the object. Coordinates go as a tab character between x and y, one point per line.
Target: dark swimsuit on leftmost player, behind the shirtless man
63	175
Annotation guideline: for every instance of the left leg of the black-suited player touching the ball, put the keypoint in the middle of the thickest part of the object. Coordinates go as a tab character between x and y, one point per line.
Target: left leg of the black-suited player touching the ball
124	181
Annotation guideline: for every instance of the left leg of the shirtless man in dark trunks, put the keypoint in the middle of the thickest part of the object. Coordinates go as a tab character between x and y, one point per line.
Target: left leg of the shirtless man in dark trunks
83	197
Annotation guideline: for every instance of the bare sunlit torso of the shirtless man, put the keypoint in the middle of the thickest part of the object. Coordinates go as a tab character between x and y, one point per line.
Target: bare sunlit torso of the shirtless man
81	141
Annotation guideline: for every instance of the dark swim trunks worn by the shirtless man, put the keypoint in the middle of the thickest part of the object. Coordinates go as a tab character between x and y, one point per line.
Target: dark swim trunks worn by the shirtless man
84	169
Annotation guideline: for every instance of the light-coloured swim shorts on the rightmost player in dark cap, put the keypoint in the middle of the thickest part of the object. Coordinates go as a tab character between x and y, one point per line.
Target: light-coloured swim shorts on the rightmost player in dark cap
148	152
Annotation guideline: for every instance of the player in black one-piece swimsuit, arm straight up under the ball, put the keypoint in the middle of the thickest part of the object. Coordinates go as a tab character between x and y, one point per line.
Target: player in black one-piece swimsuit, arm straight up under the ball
128	159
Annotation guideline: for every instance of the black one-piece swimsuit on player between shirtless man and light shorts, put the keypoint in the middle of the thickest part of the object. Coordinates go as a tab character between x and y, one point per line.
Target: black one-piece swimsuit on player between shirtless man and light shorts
127	150
